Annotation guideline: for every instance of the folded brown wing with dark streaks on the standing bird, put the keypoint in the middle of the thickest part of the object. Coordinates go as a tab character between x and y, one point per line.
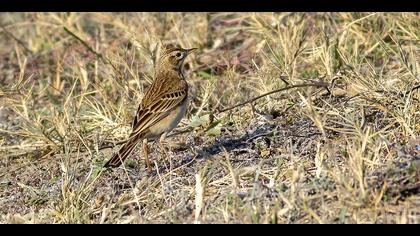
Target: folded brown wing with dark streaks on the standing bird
157	104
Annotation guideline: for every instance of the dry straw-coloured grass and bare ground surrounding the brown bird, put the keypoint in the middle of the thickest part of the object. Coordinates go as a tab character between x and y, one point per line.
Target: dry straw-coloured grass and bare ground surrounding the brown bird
346	154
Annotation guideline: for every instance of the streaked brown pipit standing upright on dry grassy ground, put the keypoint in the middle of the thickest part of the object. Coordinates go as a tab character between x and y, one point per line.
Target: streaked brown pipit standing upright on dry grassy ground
162	107
